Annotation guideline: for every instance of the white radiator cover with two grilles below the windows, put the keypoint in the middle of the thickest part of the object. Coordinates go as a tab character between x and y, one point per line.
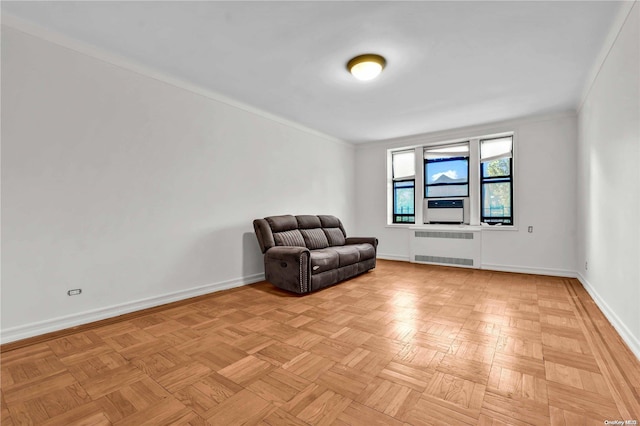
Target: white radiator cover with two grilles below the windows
459	247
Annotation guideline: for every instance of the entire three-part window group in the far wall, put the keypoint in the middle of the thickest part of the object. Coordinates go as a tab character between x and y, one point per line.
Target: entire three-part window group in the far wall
478	169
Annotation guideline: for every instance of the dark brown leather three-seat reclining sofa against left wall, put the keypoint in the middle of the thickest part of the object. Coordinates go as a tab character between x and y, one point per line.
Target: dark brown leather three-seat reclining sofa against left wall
306	253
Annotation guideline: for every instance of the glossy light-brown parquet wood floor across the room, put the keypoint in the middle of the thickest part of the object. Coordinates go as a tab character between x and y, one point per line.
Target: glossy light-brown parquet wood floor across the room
403	344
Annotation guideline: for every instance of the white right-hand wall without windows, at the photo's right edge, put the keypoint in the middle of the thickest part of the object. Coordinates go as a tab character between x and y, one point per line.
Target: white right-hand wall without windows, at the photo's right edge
609	184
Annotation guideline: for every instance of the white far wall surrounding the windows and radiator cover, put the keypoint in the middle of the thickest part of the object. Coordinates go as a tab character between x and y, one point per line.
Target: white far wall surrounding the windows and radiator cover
545	182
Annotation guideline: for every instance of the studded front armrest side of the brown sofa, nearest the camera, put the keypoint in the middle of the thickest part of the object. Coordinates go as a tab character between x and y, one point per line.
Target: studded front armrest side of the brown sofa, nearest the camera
288	268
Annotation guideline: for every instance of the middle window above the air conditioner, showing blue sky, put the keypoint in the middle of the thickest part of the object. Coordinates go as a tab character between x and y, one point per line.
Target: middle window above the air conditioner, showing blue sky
446	171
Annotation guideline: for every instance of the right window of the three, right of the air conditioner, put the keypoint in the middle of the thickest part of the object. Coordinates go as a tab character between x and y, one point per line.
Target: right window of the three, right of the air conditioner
496	181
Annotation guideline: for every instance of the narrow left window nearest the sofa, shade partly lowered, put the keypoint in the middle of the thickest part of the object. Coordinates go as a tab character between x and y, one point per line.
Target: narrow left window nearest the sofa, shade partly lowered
404	186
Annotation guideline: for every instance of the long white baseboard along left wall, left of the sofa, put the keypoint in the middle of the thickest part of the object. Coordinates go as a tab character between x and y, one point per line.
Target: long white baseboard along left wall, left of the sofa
68	321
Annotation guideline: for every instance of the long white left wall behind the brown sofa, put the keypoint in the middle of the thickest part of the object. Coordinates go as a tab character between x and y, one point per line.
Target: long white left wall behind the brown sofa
138	191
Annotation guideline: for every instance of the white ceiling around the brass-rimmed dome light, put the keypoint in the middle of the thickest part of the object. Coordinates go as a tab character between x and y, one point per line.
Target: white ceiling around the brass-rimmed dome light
449	64
